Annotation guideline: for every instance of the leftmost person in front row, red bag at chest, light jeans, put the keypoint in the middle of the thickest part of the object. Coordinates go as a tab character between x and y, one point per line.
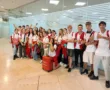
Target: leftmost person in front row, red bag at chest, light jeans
15	42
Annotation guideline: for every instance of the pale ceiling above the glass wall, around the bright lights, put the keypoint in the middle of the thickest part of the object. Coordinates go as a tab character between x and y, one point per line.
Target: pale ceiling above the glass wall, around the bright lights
18	8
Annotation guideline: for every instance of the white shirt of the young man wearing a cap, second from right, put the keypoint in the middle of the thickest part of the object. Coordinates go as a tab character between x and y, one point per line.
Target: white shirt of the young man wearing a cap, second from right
89	48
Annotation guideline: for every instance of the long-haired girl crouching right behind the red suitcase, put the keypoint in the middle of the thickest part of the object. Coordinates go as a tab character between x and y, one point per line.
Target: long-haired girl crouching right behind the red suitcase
52	53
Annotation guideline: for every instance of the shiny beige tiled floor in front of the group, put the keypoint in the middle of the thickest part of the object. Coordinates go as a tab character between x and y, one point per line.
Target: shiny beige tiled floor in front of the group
26	74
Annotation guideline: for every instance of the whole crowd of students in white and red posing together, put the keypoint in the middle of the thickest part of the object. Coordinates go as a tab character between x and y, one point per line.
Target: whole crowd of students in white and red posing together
88	47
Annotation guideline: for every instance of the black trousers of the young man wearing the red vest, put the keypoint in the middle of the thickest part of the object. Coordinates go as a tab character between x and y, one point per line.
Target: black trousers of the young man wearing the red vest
79	53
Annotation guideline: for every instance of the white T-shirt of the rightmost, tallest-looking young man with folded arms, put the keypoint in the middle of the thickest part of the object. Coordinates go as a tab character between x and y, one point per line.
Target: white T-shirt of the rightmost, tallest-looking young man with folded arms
103	45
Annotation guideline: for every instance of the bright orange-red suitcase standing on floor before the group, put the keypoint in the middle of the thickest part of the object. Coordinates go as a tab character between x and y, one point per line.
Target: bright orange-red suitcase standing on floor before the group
47	63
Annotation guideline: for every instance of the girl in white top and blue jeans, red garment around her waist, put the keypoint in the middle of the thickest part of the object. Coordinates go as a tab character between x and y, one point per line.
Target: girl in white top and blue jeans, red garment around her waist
34	45
